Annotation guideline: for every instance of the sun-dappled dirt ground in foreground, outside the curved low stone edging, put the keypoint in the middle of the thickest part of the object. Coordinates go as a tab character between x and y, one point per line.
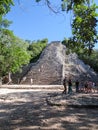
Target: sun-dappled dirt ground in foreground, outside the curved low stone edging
28	110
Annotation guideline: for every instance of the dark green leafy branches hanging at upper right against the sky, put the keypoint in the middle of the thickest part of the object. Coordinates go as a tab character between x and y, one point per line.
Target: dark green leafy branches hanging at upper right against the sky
84	27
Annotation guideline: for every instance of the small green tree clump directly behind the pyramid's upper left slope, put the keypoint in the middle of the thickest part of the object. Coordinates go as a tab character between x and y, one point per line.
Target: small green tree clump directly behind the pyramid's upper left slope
36	49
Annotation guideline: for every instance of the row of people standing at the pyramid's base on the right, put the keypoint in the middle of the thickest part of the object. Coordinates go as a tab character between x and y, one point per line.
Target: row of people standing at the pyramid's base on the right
87	86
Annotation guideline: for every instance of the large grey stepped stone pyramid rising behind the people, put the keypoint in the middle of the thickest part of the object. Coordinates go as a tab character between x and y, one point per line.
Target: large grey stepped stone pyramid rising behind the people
53	65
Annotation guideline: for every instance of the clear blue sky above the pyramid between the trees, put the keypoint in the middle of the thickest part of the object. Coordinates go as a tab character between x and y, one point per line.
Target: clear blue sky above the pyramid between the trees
32	21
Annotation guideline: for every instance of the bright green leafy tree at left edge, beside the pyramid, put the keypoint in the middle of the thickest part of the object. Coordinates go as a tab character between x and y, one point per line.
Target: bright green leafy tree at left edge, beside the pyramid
13	53
